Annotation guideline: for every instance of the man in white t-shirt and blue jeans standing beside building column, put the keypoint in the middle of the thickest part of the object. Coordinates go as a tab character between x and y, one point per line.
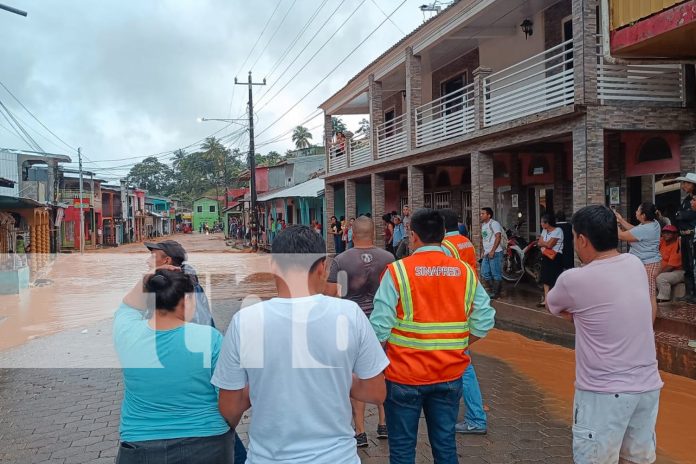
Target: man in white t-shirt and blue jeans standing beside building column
491	252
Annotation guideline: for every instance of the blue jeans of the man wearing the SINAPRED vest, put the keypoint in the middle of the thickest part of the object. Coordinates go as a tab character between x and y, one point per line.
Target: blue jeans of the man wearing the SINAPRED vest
440	405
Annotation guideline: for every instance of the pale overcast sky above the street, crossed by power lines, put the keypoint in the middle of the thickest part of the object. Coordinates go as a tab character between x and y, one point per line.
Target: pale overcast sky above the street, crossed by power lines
127	78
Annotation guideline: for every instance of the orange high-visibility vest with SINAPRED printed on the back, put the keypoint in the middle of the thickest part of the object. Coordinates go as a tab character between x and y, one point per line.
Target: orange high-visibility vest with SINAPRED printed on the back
427	343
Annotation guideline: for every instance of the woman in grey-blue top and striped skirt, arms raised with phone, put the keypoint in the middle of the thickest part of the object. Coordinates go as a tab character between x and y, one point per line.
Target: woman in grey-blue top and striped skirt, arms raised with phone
645	243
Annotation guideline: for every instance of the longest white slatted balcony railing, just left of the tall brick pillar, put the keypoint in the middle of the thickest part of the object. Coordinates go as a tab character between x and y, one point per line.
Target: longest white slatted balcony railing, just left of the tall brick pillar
539	83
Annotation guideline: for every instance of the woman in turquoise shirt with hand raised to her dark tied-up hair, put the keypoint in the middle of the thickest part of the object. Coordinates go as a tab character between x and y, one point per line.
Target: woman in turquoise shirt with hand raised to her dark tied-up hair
170	409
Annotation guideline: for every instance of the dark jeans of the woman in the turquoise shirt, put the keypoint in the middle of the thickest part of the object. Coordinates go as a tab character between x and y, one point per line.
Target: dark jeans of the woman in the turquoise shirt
220	449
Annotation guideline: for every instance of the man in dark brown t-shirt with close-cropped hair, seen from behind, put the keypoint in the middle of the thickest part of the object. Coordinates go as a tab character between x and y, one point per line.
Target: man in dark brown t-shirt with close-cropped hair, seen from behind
355	275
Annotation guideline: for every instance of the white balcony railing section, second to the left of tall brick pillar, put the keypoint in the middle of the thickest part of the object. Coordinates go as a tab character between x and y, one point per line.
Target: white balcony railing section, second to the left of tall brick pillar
449	116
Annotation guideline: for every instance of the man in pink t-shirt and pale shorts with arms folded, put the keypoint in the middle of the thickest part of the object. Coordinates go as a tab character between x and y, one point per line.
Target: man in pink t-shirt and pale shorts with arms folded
617	384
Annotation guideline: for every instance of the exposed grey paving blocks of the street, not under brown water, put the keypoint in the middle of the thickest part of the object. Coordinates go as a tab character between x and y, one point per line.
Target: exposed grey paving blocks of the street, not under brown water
72	415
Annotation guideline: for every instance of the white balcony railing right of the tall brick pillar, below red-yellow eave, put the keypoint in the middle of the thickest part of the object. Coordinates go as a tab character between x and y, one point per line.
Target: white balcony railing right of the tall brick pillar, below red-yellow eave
658	83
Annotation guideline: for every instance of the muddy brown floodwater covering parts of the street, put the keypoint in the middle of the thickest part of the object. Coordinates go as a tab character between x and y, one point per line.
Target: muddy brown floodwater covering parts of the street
85	290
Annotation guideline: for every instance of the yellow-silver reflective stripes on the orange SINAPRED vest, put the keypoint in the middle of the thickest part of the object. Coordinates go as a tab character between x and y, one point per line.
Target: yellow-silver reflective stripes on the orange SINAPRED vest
407	325
